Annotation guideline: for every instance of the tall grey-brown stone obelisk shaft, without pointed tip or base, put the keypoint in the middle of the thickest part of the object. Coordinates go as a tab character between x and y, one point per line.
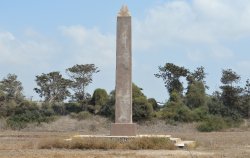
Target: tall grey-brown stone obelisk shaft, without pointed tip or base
123	104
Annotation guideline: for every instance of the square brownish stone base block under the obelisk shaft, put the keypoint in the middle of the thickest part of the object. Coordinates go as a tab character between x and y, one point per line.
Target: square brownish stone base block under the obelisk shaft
123	129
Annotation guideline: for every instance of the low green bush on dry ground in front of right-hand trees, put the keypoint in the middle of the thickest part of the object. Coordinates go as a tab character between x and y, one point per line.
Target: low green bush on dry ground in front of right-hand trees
213	123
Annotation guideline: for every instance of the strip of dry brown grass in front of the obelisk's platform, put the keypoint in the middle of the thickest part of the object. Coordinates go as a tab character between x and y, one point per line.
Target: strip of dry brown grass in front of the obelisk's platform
107	143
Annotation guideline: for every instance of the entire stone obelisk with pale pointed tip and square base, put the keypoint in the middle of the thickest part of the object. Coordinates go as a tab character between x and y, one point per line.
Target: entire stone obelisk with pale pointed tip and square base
123	125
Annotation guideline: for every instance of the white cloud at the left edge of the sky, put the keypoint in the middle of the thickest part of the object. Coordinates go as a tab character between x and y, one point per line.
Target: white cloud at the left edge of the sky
26	51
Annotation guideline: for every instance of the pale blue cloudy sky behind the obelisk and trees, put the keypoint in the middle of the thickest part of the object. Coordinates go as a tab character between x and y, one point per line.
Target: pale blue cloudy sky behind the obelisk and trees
52	35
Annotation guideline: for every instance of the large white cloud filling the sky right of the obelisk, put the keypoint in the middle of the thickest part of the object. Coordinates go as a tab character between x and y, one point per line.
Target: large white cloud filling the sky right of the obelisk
193	25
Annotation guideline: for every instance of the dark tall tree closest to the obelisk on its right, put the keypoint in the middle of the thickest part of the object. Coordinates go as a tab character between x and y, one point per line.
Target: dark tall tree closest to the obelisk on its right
171	74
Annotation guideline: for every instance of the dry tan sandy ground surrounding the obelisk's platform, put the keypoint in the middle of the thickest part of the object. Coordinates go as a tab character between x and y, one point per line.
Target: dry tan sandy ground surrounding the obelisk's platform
234	143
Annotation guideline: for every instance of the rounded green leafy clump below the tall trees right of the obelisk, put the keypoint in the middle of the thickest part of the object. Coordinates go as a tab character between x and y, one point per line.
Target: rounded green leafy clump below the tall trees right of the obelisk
196	95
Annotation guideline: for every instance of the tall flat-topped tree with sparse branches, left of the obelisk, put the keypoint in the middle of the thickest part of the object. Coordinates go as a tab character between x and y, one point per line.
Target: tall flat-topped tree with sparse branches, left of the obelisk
81	77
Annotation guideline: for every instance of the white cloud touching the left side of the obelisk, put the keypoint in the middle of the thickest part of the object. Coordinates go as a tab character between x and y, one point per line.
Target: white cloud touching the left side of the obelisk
90	45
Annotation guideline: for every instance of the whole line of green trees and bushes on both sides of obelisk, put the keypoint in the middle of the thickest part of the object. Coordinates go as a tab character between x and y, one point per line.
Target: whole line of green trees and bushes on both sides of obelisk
225	108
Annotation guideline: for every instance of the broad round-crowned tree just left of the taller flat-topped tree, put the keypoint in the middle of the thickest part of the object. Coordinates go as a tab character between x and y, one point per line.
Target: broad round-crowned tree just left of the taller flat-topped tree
53	87
